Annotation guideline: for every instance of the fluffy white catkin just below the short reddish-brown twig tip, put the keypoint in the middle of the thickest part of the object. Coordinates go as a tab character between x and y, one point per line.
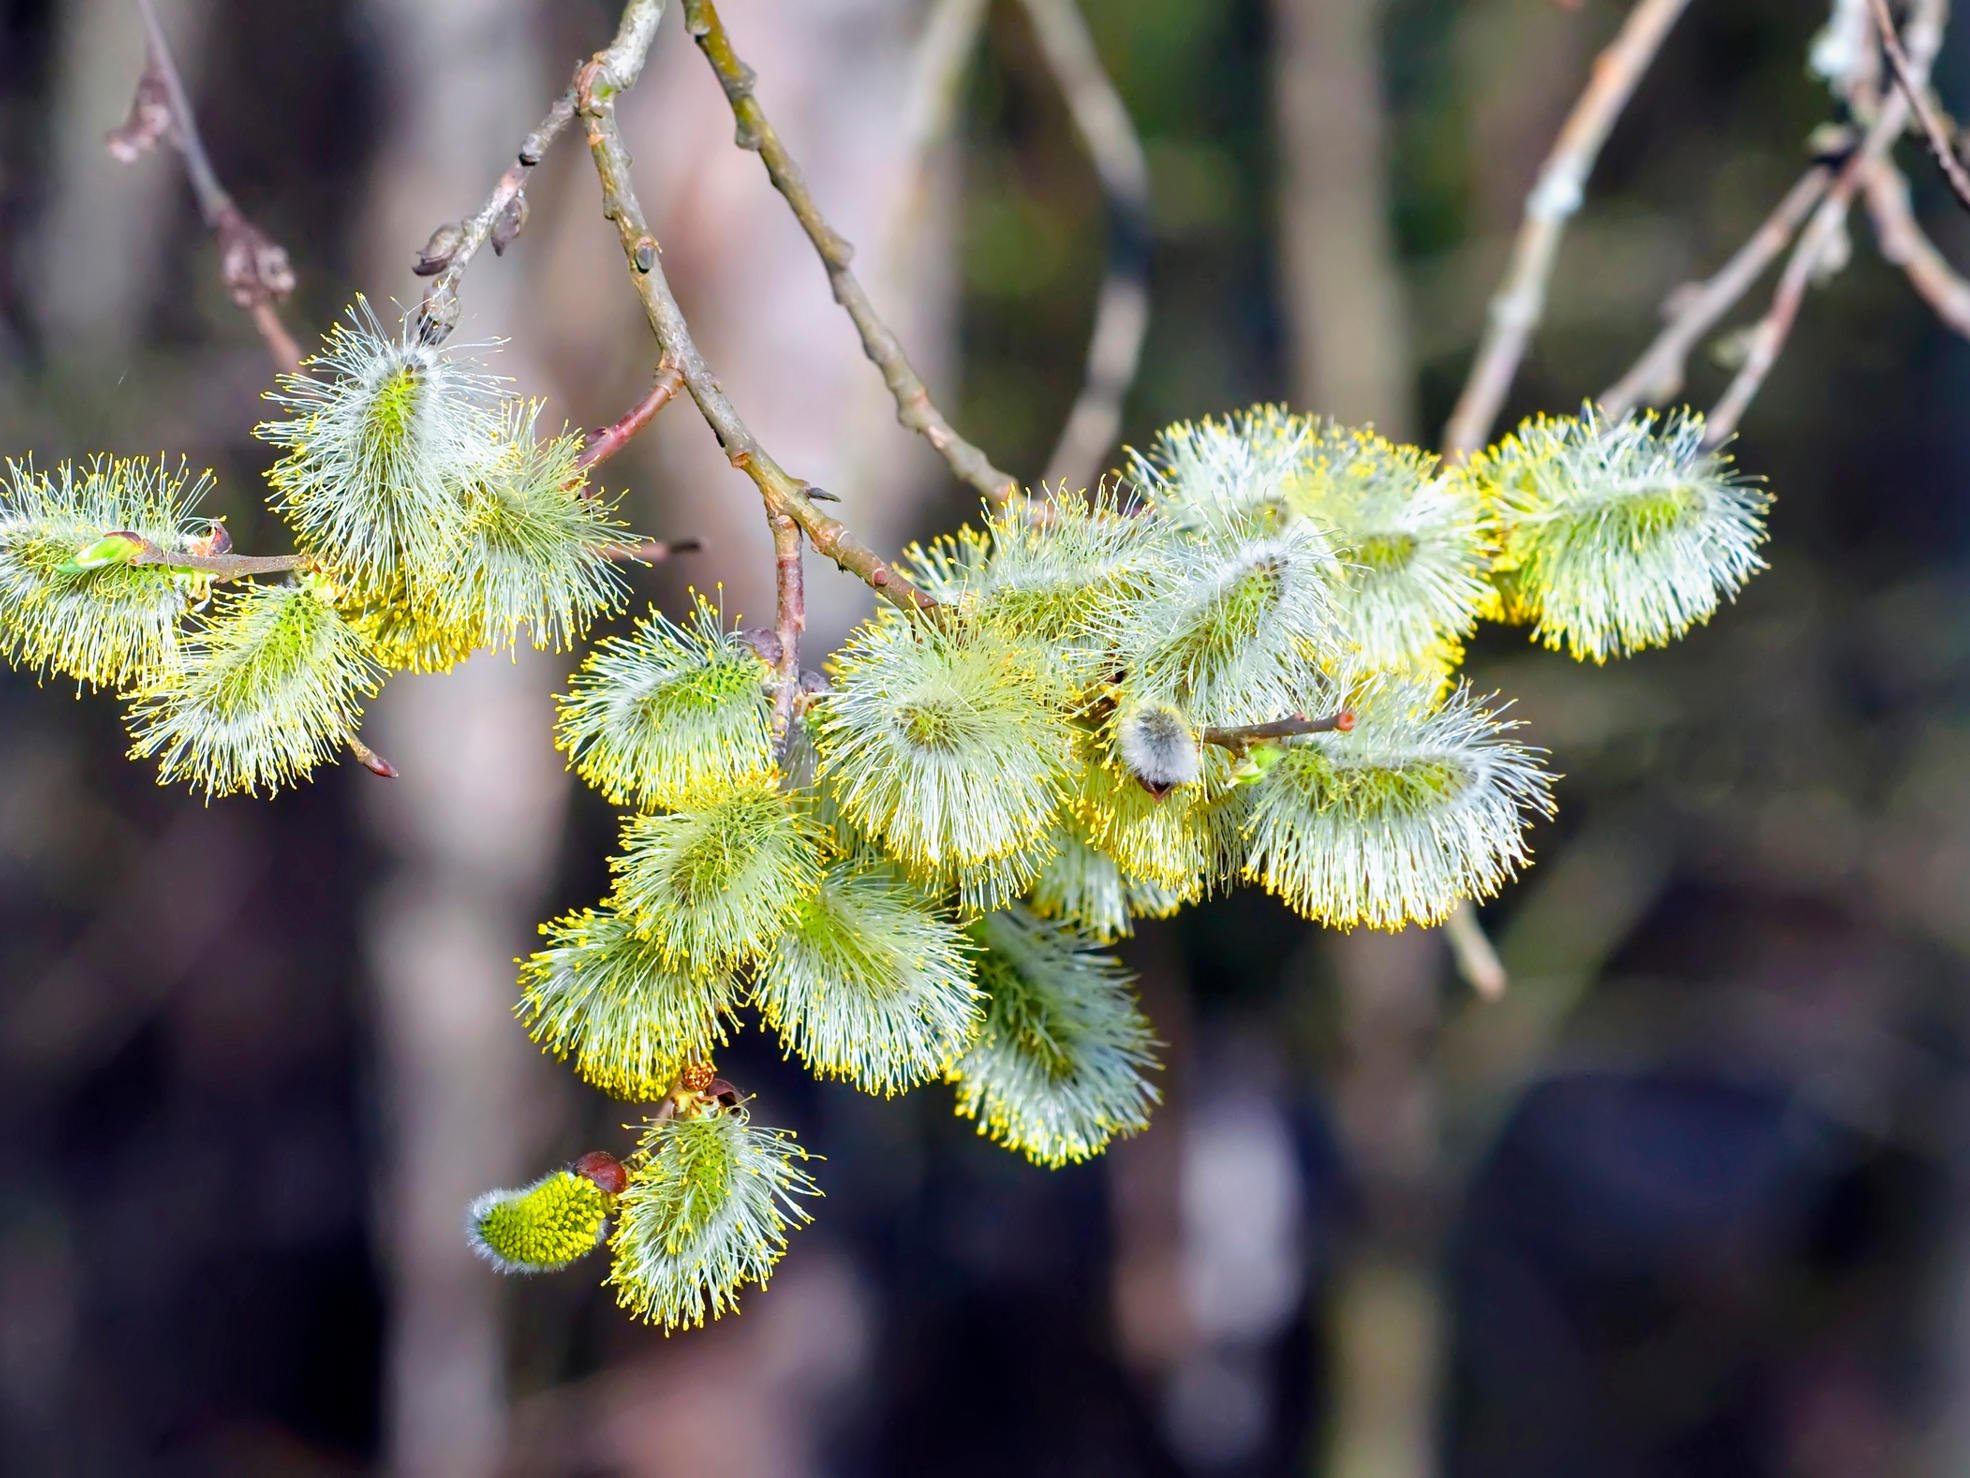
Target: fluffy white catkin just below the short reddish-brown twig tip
1421	805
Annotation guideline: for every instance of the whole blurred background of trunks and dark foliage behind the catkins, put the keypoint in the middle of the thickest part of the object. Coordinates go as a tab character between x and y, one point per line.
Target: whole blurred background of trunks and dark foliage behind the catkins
1693	1199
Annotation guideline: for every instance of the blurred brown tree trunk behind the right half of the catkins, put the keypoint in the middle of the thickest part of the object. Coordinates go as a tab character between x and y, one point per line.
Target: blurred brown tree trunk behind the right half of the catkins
1352	360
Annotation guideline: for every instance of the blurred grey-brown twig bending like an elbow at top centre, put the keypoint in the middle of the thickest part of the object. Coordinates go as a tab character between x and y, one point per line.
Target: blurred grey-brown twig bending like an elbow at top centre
1122	306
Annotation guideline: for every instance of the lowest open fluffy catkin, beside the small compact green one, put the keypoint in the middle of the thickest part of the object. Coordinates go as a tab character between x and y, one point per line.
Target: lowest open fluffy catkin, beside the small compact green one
706	1213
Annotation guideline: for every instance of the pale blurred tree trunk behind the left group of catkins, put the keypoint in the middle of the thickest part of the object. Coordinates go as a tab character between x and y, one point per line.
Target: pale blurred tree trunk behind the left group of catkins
468	839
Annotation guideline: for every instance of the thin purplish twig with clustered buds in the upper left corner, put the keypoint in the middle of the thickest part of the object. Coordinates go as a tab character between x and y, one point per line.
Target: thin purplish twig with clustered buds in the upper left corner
255	267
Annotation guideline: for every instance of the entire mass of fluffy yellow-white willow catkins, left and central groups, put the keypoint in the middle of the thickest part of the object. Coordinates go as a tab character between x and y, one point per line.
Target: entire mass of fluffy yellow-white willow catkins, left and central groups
1236	663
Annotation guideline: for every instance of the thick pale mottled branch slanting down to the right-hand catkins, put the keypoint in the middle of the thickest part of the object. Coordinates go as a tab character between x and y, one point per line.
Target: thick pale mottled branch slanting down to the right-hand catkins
1522	301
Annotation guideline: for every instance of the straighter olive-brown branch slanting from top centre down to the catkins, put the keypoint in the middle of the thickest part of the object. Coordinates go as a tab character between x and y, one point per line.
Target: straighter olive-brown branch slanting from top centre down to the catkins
915	407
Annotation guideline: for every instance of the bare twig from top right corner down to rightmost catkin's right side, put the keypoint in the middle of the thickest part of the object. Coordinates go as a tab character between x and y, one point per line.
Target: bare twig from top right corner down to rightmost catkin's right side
1827	228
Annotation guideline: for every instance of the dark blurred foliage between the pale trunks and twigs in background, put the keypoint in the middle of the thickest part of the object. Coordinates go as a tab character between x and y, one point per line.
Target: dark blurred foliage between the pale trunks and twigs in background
1699	1195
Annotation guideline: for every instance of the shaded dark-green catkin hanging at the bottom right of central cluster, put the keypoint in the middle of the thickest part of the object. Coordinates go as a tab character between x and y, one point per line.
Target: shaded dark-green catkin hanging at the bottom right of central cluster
1059	1067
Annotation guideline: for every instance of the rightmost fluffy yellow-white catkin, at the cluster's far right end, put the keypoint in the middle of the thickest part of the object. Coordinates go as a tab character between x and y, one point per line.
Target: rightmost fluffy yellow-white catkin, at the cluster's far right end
1616	537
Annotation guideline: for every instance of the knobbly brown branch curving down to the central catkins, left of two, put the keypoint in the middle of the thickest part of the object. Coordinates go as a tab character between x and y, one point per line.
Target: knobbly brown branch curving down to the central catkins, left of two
596	103
